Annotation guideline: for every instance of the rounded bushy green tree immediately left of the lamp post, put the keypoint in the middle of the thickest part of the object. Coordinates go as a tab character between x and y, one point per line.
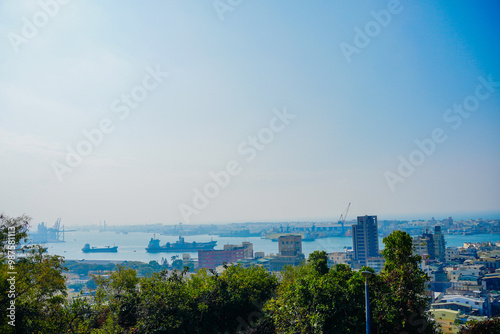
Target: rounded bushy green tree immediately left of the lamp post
312	301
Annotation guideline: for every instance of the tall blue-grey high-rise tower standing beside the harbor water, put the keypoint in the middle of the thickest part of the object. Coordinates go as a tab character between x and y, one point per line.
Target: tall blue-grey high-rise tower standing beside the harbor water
365	239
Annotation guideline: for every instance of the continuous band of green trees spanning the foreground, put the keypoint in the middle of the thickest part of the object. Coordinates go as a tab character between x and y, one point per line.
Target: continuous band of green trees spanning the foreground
311	298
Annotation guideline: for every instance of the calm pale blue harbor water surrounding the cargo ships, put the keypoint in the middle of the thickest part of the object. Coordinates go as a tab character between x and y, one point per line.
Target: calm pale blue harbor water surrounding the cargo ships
131	246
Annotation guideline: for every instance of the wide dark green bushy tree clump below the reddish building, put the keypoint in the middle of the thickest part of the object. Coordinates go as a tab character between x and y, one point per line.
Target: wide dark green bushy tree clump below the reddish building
205	302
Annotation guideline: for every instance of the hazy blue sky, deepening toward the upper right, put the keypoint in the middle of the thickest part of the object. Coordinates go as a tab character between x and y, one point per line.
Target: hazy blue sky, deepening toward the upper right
222	111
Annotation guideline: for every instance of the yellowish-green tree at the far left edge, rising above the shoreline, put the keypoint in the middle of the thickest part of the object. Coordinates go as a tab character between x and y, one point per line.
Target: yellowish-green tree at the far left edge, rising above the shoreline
33	284
